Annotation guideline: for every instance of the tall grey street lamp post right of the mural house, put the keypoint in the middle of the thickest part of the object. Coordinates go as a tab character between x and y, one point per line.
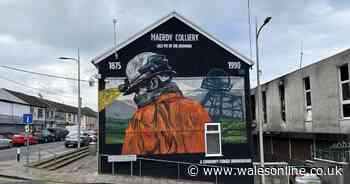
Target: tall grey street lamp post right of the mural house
261	131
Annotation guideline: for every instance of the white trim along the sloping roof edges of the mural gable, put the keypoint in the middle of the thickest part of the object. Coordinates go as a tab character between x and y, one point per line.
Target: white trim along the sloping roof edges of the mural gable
111	51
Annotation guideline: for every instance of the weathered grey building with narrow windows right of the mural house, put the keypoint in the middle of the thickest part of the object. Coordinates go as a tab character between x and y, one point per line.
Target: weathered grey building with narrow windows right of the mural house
306	110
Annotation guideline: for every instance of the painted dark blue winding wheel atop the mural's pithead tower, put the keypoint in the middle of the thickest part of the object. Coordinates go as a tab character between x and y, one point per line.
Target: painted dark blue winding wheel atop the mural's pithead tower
217	79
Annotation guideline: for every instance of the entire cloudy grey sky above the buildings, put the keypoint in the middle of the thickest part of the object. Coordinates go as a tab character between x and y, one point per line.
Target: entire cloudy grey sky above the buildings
34	33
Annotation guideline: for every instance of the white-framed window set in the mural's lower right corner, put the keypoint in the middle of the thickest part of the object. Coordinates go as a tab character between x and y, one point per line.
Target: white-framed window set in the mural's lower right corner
213	139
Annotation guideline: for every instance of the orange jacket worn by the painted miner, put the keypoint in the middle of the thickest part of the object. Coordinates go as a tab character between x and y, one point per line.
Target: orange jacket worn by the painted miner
172	124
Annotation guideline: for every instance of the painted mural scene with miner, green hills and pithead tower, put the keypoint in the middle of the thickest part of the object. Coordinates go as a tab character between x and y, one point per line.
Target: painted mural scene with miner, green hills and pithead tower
160	113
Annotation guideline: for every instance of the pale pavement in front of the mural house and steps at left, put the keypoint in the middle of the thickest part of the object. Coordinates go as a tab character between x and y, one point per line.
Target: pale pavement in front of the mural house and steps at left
81	171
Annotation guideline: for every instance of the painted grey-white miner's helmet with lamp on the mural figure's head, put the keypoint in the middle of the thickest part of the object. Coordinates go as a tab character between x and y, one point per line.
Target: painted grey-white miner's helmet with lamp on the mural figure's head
142	68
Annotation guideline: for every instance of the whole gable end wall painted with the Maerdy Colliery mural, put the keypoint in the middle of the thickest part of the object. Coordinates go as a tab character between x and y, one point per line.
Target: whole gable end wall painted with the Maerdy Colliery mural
170	96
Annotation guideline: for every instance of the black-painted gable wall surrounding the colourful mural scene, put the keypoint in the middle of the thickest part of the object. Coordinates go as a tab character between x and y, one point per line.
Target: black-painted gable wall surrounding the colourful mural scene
197	61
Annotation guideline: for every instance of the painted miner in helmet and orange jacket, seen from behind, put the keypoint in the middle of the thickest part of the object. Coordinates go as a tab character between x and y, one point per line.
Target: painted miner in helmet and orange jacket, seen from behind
165	121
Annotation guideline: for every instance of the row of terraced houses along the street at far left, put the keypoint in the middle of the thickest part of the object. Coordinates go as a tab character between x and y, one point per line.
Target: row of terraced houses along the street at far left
46	113
